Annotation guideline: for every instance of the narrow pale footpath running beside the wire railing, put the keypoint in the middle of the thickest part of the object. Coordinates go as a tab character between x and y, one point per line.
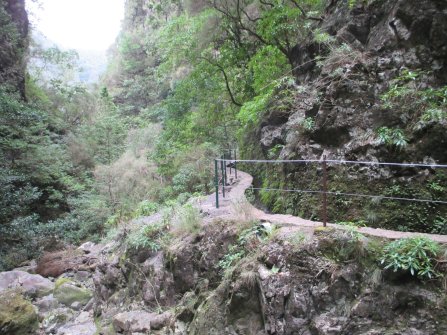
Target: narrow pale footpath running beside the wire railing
235	207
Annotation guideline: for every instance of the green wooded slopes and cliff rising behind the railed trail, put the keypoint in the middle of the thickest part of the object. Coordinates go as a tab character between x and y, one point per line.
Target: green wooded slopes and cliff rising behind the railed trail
186	80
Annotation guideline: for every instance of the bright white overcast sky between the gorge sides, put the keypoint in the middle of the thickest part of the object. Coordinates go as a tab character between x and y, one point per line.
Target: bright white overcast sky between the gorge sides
78	24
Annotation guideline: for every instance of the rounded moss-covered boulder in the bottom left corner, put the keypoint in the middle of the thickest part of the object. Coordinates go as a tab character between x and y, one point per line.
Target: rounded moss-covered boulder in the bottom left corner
17	315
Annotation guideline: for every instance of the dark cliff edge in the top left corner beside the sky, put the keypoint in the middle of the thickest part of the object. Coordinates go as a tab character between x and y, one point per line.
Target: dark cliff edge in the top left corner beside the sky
13	44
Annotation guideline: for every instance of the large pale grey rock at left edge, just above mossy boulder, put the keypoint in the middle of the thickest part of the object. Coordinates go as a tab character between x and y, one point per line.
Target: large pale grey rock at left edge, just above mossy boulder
32	285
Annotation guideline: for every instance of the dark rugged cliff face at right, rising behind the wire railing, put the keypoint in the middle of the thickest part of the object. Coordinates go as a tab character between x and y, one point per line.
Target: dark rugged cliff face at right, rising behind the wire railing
365	94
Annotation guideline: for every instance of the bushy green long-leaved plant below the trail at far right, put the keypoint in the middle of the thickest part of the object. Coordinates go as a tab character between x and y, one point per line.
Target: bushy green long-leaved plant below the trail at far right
417	255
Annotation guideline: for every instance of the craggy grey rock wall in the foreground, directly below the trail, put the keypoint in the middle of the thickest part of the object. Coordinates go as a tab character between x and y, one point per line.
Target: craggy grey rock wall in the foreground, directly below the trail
295	283
